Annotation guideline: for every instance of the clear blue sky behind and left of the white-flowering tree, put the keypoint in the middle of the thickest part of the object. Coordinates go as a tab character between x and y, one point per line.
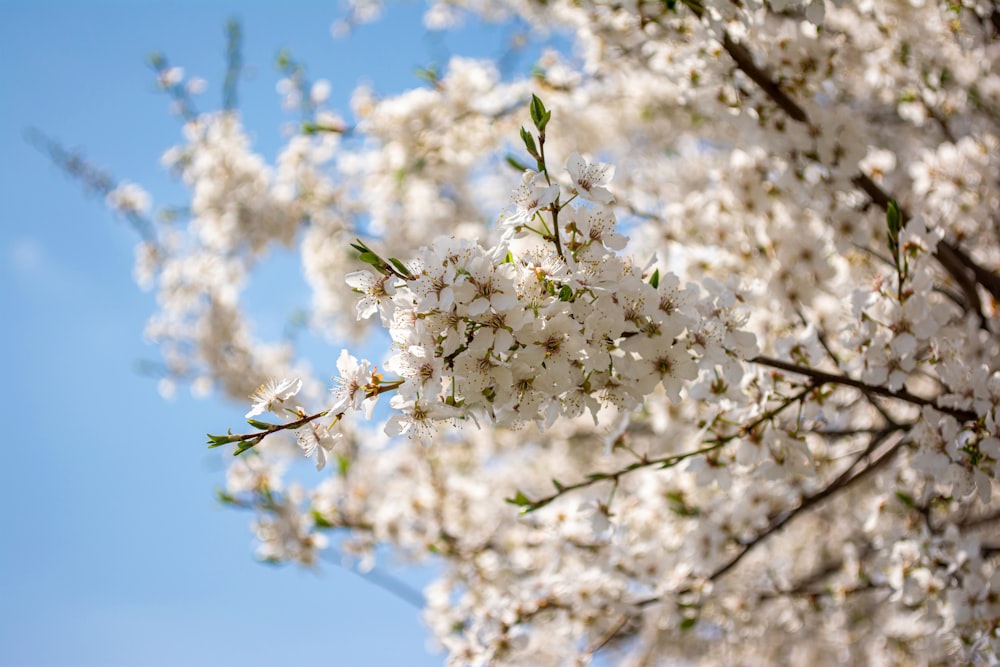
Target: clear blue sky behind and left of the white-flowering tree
112	550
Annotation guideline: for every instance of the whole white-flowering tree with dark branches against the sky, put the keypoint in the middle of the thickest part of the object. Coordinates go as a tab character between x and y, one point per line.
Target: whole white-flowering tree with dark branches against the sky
691	334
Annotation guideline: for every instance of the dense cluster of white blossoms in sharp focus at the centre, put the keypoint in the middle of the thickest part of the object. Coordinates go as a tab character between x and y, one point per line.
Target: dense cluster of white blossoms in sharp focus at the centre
545	331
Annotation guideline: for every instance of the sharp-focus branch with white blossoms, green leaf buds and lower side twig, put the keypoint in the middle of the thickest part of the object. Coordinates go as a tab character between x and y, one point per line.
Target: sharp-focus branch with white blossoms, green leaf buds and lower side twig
554	330
